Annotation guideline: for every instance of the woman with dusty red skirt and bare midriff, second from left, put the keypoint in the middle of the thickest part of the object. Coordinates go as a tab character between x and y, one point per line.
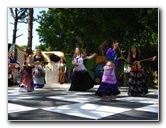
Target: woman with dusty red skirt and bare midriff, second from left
26	73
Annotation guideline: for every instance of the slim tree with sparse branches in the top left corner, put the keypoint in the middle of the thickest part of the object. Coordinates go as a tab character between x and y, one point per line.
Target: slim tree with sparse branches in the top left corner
19	15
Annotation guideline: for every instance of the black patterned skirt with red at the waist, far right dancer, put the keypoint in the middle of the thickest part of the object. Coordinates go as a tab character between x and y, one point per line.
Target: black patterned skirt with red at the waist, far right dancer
137	83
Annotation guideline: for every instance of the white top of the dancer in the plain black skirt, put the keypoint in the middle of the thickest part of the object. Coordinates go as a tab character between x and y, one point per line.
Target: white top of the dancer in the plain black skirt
80	60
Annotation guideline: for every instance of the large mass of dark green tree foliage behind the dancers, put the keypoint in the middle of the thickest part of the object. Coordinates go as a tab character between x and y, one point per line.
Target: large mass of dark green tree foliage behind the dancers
62	29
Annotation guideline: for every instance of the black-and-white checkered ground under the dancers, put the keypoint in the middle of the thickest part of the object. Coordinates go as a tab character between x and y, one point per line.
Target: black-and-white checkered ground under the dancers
55	103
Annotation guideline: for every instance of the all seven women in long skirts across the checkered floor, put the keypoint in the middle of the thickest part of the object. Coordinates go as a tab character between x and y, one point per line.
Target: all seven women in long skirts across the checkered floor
33	76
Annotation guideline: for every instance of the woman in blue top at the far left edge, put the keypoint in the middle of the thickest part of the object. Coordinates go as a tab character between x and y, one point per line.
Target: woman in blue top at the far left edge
14	67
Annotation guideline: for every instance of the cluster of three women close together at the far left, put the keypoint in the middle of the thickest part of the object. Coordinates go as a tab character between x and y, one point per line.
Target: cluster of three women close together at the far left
32	75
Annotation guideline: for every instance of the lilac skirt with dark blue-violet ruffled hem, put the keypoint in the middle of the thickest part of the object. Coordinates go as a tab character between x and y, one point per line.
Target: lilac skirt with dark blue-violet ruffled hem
108	84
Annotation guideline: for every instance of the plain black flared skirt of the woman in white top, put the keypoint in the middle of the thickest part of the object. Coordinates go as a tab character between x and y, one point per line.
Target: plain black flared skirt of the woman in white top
81	81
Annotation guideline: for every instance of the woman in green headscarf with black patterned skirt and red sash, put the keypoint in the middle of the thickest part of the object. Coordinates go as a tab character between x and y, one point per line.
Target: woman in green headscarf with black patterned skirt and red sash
137	83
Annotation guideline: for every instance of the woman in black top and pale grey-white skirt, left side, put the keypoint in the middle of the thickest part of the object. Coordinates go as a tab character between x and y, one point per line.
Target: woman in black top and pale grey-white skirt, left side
38	73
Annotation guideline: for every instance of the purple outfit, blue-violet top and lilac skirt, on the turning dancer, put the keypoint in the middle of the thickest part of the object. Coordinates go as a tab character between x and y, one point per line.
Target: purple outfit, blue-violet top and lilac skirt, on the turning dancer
108	83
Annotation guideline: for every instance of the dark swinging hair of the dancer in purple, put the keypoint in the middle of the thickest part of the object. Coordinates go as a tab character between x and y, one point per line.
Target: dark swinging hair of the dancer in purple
106	45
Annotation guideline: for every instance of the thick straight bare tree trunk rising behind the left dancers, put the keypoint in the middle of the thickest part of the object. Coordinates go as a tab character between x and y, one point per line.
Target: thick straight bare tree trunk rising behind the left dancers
30	27
